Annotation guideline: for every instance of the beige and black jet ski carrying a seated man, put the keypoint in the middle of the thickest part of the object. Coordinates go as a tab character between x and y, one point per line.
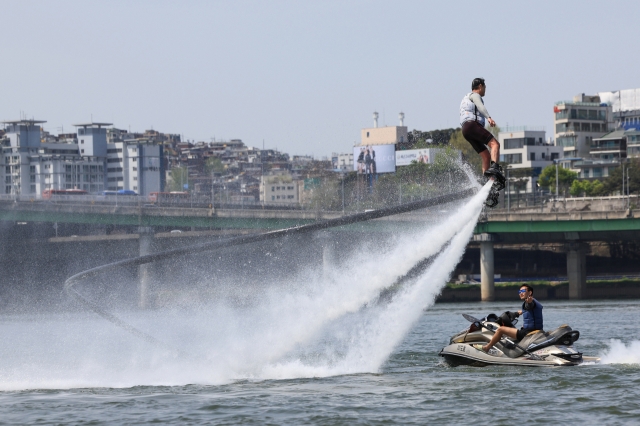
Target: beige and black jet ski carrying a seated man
536	349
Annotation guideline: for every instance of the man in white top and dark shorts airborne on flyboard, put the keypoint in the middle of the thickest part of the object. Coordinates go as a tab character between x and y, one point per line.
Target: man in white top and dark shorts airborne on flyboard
472	118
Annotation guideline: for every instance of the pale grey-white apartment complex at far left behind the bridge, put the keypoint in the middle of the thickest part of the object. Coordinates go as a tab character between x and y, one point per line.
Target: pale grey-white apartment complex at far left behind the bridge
28	165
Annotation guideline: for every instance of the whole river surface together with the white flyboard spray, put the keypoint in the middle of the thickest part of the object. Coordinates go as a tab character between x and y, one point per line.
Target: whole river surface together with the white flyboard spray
321	348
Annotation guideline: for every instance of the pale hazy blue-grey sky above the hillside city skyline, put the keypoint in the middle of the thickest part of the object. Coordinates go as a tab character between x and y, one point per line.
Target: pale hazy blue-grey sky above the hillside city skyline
306	76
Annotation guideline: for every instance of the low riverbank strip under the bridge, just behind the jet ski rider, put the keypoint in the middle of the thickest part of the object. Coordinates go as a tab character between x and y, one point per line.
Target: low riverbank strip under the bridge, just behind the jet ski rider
544	290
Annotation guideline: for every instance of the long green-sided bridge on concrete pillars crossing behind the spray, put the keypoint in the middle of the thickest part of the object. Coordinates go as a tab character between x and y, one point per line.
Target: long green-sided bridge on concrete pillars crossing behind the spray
574	227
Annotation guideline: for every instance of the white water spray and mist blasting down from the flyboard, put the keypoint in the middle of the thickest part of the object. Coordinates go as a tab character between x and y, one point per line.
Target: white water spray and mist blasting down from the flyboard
318	323
